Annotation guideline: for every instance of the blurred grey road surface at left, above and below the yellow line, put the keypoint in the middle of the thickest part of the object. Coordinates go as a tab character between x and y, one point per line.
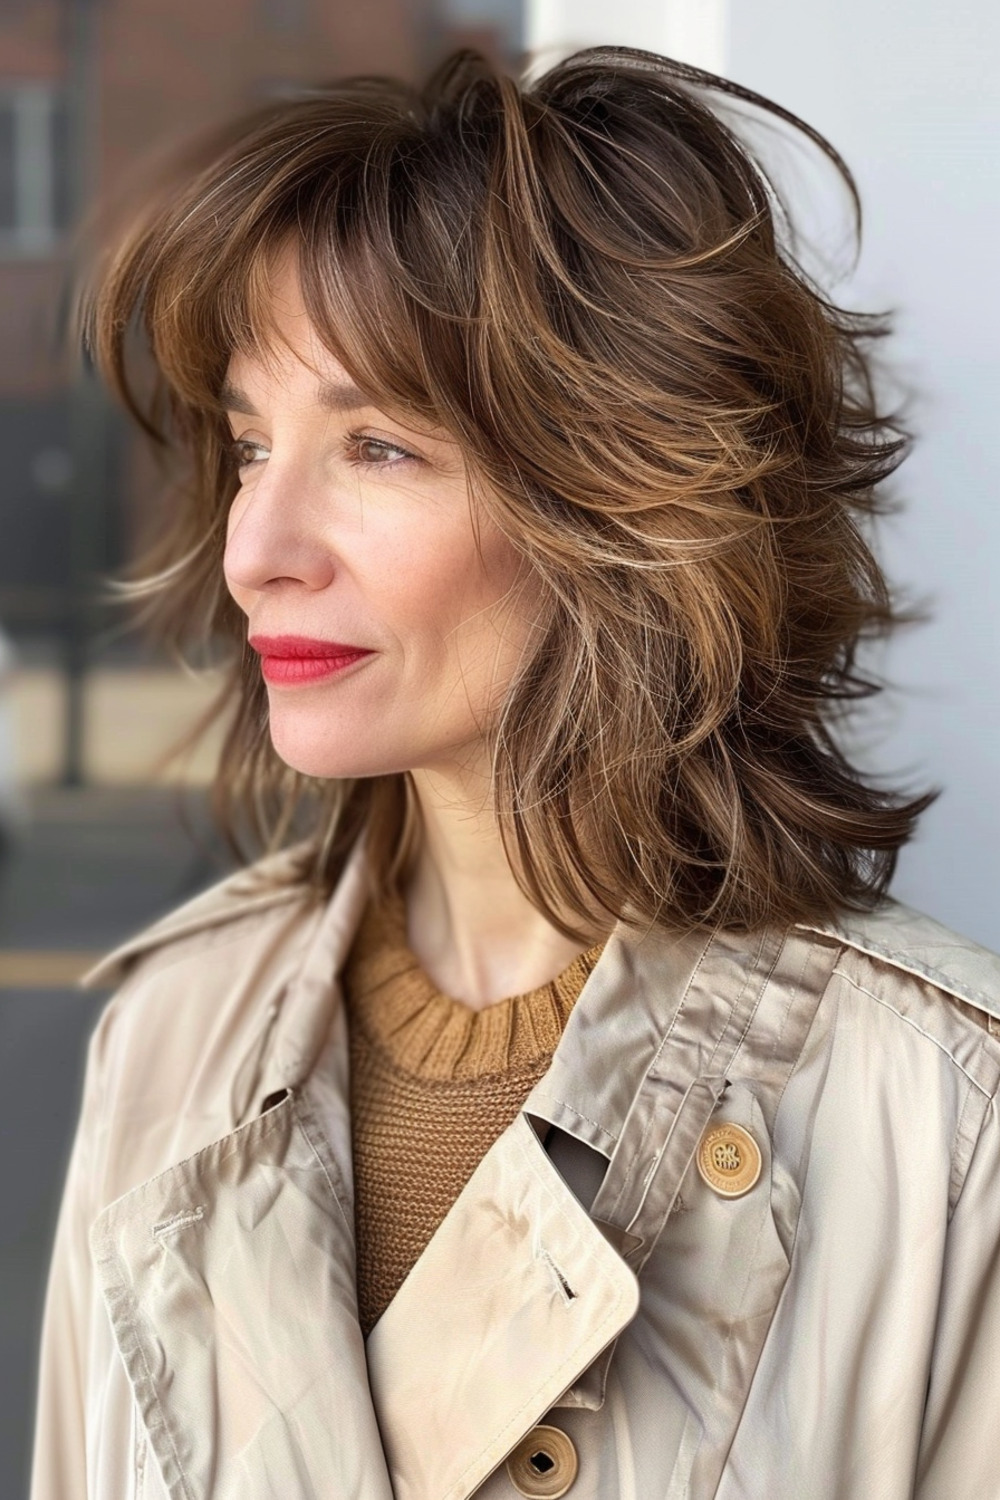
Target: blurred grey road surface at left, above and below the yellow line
91	869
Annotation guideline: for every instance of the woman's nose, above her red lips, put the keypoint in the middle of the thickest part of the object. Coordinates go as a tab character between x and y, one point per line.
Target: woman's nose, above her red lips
277	538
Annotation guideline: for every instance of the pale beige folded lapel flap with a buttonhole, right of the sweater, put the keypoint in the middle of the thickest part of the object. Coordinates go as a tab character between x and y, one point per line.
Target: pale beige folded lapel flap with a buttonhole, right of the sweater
513	1298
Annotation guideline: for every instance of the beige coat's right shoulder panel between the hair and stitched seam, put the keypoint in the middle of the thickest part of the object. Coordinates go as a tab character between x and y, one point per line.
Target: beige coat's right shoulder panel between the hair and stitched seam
941	983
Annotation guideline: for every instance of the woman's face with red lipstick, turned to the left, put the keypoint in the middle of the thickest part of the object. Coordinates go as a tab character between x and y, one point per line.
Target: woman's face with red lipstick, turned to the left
388	614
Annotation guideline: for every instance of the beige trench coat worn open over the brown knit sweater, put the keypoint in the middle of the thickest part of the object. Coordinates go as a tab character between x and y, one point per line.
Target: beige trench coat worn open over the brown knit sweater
833	1334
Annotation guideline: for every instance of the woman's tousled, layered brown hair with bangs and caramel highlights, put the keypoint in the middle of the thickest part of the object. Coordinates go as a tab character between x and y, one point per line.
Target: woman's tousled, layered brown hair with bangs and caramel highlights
582	281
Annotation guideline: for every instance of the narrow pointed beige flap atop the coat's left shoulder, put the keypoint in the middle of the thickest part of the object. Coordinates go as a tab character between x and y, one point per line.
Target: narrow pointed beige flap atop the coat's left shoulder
268	896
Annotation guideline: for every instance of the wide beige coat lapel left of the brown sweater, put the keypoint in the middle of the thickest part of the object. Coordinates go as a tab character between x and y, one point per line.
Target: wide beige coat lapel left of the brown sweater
230	1288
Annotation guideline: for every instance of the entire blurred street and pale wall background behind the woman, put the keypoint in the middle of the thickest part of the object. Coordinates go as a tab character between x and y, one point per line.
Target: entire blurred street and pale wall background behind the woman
97	835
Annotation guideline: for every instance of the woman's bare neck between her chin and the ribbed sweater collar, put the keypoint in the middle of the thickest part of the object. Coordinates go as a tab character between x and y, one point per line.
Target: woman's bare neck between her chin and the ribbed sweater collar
470	925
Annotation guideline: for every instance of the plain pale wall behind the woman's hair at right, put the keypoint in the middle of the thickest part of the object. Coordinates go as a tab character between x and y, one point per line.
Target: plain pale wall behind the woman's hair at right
908	92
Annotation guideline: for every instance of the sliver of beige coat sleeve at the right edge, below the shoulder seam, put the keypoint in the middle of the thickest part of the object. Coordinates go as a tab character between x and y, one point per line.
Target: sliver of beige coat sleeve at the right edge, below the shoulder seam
959	1448
